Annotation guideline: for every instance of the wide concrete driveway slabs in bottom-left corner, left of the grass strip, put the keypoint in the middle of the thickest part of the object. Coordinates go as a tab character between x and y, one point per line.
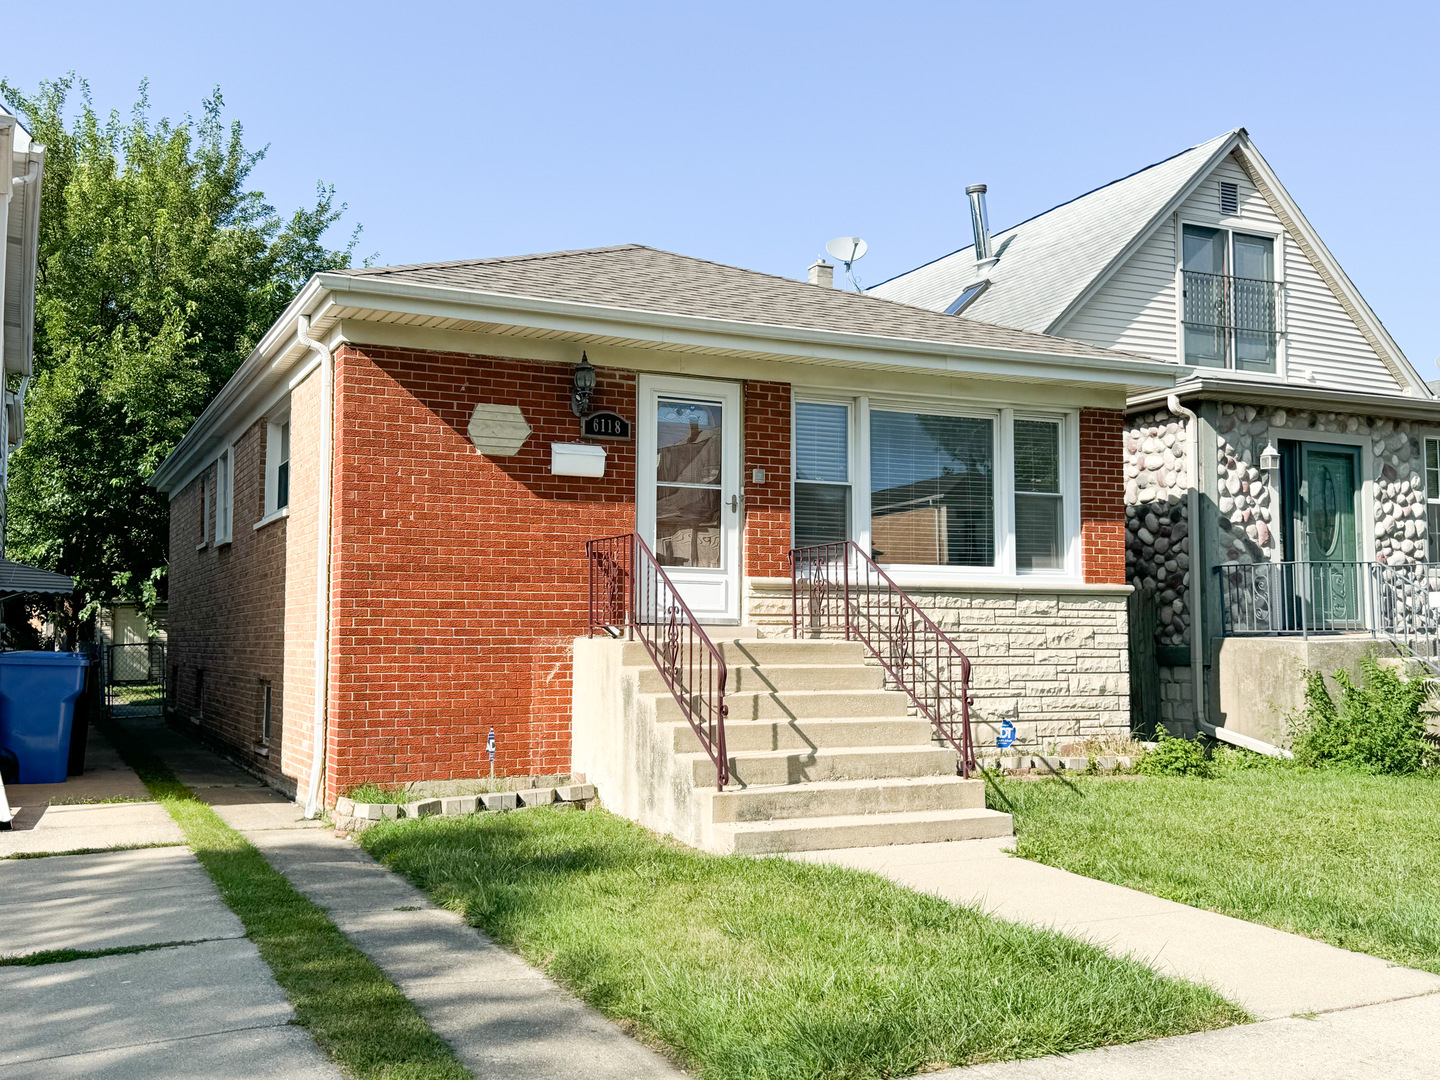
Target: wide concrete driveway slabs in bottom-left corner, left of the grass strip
208	1009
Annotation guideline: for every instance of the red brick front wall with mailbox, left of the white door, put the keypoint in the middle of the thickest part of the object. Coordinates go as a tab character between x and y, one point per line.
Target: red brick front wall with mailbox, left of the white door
460	580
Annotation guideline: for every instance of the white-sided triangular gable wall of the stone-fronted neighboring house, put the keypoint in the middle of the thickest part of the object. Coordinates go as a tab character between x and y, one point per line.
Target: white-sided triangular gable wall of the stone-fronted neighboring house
1137	309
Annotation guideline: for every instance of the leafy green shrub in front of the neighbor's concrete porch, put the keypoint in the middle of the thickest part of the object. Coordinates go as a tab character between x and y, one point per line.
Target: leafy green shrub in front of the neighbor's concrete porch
1376	728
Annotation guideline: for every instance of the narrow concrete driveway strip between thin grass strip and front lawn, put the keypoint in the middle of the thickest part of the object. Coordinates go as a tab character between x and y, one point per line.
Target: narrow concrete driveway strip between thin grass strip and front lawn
503	1017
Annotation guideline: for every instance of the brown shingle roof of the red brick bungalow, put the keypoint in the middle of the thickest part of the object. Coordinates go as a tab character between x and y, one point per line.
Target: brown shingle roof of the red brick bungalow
647	280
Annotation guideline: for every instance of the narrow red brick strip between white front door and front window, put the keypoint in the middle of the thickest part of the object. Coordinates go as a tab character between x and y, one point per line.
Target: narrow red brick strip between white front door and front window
768	506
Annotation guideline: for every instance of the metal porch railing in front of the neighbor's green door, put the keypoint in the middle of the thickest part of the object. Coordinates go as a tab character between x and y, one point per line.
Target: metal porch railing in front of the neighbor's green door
1304	598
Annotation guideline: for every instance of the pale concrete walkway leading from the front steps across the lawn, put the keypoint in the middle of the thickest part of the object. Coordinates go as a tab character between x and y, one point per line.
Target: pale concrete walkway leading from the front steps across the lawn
1269	973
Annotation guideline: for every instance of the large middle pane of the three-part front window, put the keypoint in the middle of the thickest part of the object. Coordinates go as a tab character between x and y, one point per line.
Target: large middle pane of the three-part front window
932	489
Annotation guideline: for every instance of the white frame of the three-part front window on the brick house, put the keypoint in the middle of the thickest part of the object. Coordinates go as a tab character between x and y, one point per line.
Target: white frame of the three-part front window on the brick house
1004	495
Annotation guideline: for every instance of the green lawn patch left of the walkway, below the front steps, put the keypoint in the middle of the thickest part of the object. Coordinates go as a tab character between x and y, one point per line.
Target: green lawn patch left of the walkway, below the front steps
778	970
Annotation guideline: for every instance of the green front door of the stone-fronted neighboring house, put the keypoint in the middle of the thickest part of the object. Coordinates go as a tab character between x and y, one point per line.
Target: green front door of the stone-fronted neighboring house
1330	549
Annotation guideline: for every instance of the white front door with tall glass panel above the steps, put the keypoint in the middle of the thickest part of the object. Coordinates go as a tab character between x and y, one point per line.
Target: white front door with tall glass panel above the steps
689	500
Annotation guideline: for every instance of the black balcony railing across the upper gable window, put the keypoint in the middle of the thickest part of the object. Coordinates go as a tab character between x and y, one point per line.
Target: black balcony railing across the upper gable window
1232	322
